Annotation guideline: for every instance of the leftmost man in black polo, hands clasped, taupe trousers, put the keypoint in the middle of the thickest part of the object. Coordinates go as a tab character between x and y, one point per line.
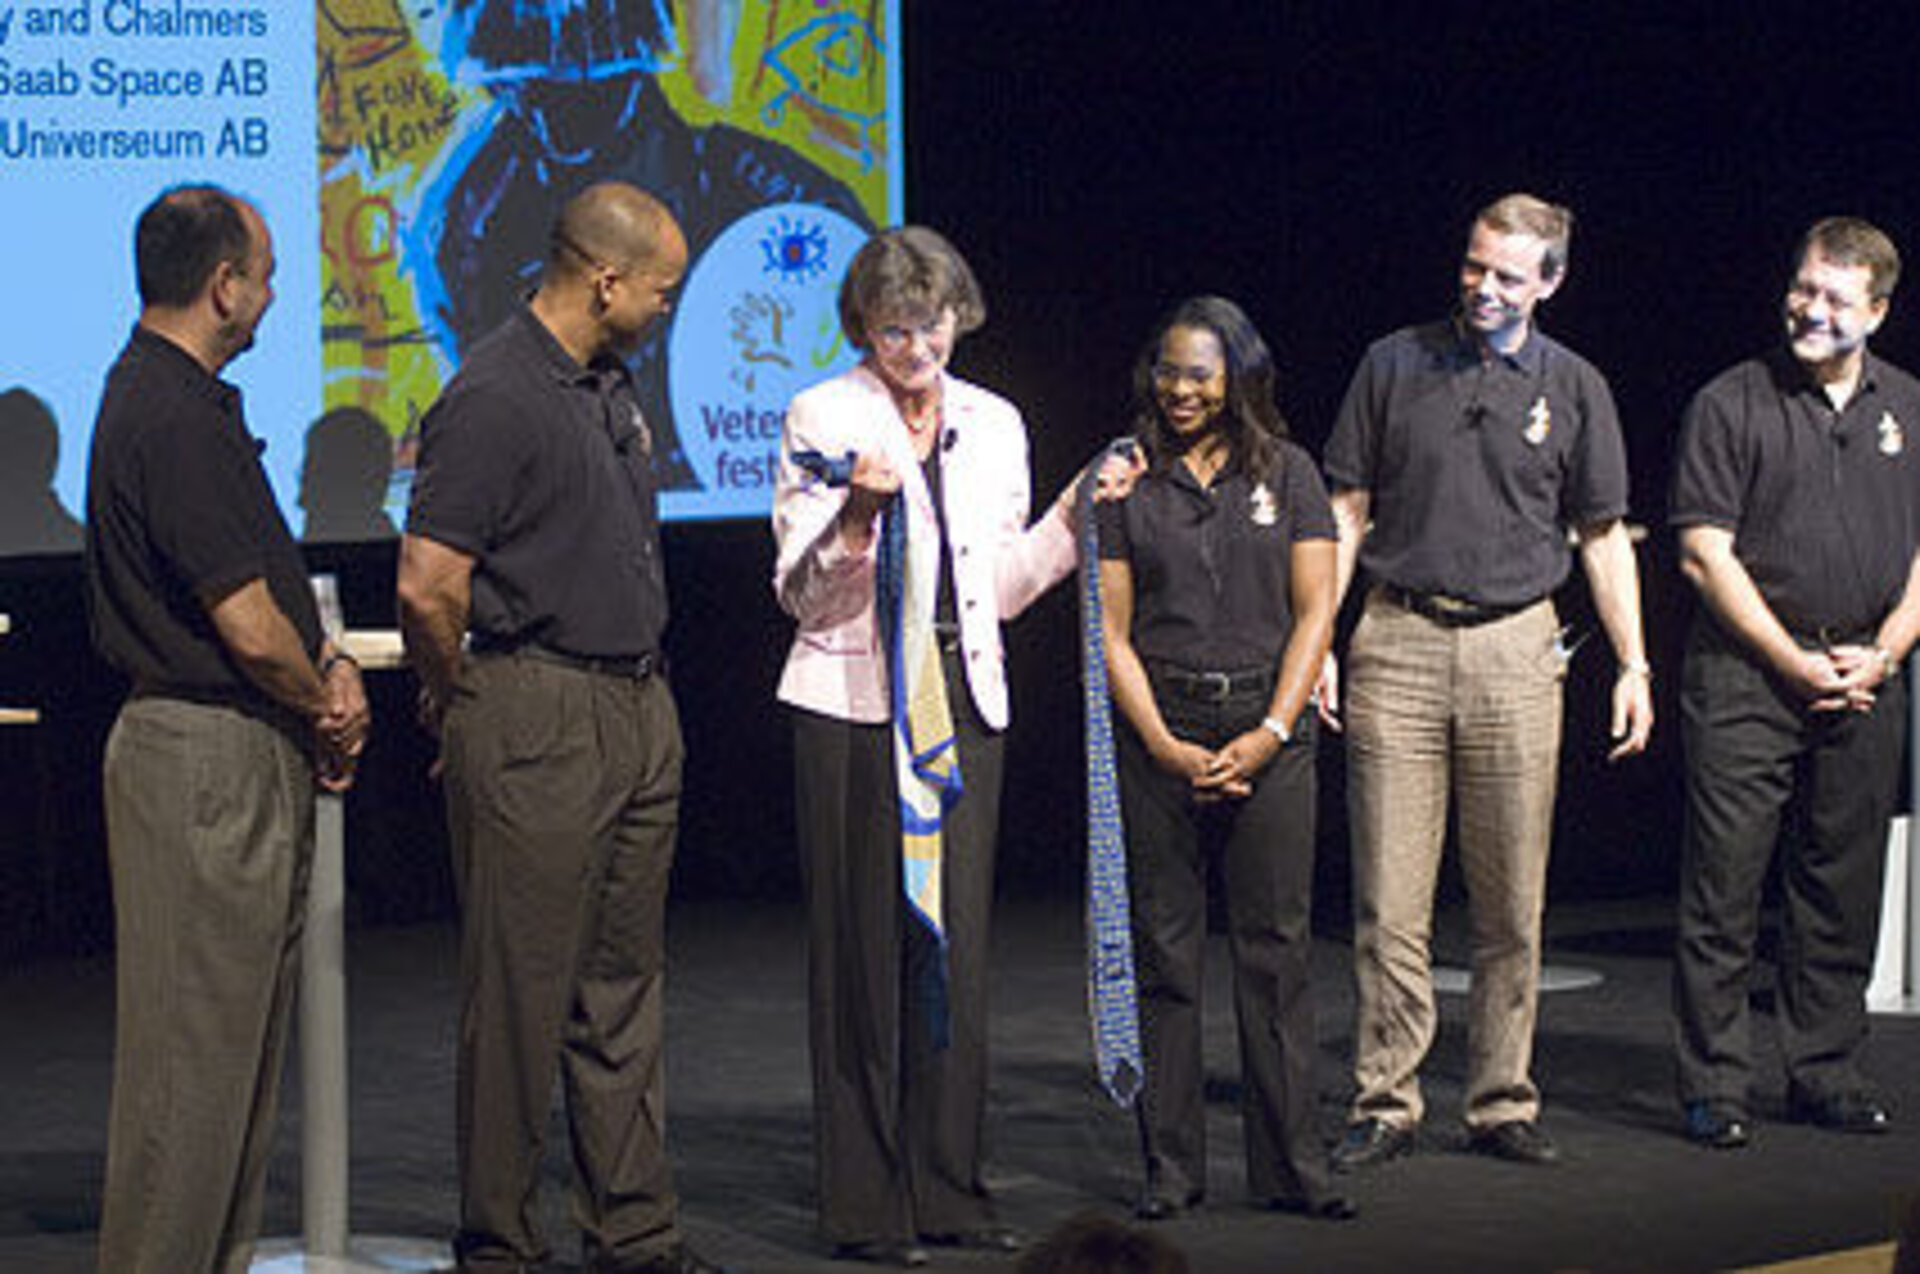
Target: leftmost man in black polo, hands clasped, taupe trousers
197	594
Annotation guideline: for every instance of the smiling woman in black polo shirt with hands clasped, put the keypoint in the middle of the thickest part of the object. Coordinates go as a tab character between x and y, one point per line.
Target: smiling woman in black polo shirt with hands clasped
1218	584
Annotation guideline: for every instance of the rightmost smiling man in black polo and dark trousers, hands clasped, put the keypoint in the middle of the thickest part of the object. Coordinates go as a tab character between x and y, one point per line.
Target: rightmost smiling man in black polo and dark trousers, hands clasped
1800	517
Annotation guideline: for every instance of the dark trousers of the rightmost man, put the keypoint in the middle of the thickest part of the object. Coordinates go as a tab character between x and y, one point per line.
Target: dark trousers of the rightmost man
1752	759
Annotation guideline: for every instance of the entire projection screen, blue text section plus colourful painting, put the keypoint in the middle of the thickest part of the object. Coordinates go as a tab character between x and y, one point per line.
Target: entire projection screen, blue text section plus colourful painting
410	156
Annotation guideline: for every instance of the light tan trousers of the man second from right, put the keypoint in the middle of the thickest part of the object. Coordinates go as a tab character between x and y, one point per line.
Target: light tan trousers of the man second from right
1433	715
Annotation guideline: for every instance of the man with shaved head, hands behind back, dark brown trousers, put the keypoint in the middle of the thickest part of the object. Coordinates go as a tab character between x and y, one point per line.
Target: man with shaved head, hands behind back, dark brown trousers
533	538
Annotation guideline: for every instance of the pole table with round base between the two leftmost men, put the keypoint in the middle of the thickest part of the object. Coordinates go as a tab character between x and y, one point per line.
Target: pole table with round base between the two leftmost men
325	1246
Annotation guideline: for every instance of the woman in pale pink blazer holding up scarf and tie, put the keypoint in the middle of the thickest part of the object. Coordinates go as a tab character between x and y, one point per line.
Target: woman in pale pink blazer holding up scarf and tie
898	1116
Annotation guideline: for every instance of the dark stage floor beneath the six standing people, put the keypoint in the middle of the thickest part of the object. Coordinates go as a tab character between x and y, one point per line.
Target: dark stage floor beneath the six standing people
1633	1196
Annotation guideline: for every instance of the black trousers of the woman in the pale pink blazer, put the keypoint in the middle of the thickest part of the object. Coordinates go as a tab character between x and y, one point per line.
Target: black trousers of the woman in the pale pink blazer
898	1121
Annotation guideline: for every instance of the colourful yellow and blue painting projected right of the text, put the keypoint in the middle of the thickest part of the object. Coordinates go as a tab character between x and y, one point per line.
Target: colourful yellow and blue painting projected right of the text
450	137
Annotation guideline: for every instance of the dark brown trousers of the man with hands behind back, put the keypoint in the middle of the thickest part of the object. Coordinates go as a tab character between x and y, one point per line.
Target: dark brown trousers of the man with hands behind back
564	797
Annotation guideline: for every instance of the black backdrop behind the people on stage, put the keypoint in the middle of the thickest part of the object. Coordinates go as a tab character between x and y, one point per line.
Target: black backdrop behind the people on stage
1097	162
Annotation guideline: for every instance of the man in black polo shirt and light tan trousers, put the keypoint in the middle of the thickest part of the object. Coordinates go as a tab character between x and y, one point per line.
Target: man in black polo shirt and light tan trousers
1464	454
